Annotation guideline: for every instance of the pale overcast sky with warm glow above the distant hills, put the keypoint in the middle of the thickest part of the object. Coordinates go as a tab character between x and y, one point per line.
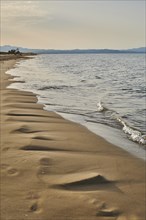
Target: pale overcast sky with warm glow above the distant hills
73	24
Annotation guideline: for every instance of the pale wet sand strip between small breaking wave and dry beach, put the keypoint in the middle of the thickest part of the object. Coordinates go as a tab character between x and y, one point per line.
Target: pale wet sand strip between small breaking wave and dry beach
111	135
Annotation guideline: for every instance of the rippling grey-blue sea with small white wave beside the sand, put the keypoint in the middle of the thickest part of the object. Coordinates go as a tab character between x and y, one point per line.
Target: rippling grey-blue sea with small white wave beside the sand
90	88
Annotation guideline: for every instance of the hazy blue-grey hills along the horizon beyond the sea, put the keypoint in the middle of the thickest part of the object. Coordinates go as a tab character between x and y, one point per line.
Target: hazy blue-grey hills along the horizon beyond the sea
6	48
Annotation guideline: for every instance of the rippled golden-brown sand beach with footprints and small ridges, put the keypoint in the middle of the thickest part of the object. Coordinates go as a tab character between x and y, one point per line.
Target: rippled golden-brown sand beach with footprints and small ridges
54	169
